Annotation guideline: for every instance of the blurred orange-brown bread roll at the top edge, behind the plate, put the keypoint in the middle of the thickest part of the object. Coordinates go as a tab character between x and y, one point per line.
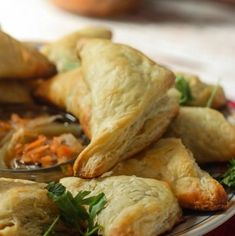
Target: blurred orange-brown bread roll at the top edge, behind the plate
100	8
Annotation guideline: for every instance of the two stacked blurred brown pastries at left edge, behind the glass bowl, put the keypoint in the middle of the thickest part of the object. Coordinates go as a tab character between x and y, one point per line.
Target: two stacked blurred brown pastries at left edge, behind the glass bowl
20	63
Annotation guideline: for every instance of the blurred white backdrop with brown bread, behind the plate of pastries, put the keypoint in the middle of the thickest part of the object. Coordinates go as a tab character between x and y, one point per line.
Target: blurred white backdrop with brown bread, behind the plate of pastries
186	35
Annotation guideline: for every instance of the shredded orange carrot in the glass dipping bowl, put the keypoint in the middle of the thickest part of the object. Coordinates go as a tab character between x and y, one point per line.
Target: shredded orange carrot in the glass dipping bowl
42	151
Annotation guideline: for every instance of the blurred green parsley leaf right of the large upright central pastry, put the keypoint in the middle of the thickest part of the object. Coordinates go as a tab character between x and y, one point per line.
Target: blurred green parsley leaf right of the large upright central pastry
183	87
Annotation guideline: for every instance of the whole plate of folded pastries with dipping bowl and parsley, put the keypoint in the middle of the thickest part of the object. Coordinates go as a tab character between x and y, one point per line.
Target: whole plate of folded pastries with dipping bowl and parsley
98	139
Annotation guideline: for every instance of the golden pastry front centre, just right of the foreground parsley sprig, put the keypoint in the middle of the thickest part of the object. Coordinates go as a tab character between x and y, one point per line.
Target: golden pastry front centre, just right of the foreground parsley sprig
135	206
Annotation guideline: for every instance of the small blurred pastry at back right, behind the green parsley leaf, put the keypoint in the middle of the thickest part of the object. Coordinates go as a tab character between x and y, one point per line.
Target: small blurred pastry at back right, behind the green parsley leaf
201	92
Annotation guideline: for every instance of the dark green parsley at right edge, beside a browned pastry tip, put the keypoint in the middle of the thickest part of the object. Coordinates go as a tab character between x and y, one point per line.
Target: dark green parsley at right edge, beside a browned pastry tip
228	178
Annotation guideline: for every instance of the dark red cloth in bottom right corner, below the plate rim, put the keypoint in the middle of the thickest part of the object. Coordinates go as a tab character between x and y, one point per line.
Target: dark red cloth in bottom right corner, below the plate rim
226	229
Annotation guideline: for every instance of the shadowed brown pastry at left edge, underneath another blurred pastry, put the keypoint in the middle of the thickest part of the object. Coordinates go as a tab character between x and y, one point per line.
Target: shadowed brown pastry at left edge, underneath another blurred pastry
14	92
